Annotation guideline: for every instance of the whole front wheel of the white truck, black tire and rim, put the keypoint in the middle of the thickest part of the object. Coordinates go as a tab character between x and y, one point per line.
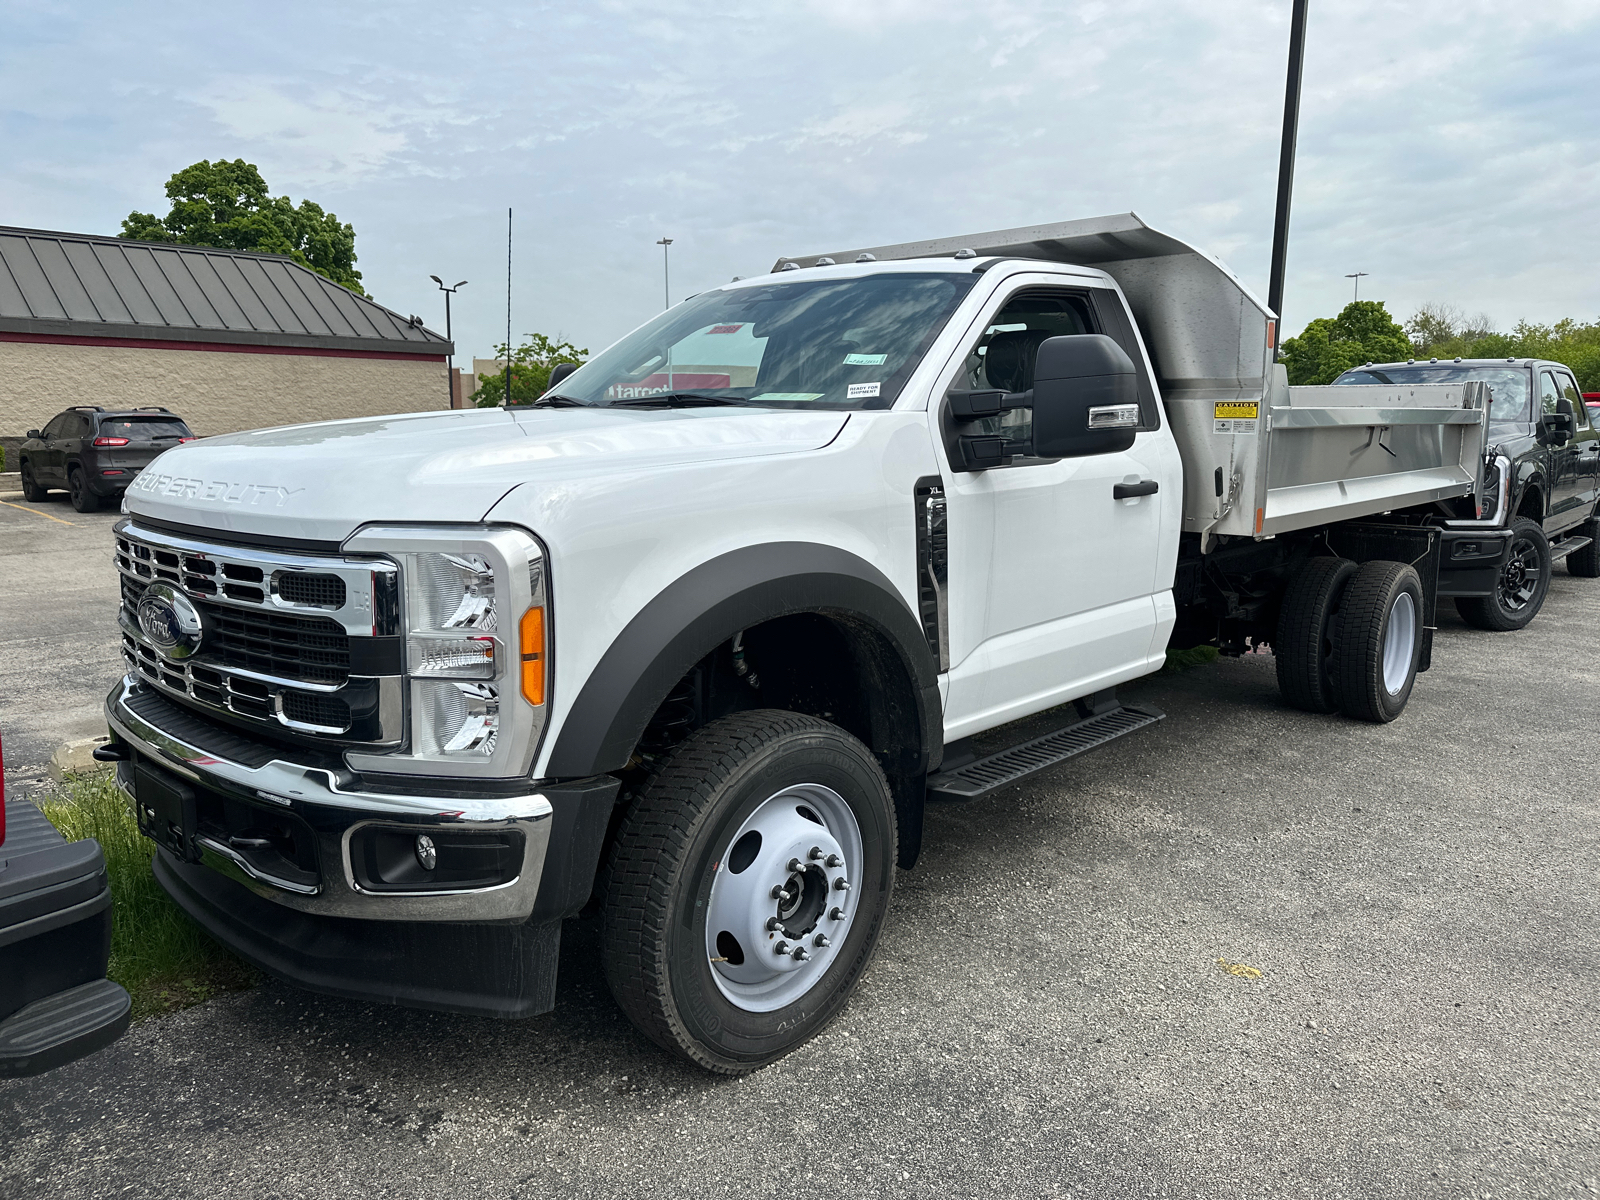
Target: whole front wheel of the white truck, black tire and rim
713	841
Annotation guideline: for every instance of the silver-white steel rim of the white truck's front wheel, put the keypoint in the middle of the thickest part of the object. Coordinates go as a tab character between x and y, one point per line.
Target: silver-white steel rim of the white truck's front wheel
782	902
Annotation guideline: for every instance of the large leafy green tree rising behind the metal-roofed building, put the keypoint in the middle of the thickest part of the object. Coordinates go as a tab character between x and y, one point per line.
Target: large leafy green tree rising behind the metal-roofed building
228	206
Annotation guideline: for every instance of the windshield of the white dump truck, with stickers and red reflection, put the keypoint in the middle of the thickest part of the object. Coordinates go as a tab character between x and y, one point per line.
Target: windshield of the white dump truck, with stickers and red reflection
849	343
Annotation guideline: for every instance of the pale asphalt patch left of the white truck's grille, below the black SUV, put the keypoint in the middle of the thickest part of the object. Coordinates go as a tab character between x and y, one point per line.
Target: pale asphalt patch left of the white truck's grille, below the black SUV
58	628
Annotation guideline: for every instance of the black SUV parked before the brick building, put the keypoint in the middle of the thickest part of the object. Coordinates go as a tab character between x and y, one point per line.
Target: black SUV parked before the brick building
95	454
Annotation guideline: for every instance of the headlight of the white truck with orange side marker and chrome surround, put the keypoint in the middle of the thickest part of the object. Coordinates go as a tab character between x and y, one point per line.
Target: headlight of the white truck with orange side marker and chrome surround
476	630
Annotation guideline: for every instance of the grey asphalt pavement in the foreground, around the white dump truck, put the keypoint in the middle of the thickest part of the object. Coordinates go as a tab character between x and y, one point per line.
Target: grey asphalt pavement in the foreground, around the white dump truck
1052	1012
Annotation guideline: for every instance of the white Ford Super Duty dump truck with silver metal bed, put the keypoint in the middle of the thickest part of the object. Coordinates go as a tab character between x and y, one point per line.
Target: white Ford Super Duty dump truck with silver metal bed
690	641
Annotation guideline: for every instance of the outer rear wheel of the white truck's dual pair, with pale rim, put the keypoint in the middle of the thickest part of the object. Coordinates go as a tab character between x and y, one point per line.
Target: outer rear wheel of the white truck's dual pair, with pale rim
1382	641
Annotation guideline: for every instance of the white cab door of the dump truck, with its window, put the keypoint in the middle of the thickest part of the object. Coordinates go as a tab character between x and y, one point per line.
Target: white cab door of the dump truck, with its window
1052	580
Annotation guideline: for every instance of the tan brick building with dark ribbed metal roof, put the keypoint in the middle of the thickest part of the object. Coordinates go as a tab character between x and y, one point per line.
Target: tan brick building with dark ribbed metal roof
225	338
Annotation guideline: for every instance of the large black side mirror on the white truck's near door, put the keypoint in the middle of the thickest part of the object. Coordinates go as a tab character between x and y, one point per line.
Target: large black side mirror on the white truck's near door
1086	398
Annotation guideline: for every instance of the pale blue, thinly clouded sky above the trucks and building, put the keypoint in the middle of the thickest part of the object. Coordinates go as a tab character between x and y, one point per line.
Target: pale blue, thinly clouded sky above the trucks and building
1447	148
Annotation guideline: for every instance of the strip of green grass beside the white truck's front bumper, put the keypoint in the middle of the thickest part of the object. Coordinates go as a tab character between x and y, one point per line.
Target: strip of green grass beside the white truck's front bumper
162	958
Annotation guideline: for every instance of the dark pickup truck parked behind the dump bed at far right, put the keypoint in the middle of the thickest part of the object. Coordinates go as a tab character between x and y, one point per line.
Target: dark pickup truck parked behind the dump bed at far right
1543	473
